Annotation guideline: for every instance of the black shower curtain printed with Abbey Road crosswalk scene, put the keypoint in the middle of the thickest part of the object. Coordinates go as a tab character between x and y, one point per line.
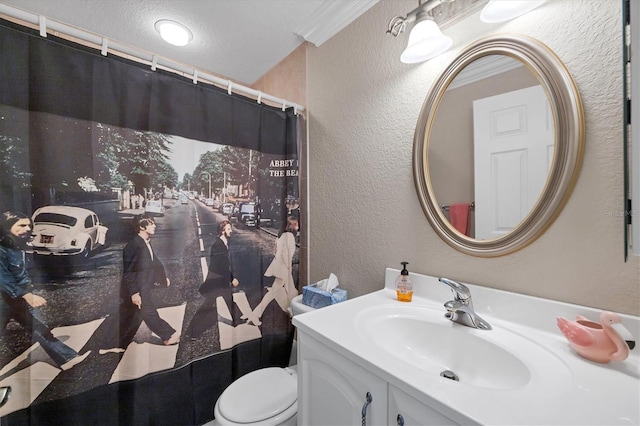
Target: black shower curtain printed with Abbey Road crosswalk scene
140	212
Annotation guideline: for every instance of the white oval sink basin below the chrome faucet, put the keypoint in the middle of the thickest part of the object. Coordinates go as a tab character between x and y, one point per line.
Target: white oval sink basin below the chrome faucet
422	338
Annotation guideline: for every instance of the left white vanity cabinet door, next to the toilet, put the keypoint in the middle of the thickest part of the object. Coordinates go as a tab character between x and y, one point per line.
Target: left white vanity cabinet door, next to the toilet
332	390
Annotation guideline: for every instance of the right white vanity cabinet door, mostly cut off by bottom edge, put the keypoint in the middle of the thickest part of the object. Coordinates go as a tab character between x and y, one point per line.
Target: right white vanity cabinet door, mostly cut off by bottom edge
405	410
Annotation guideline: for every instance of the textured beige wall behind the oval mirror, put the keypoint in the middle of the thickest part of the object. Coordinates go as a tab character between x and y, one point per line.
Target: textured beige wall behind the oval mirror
364	214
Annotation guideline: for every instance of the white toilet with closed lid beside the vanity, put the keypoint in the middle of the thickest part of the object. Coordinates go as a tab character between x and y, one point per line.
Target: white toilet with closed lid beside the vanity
251	399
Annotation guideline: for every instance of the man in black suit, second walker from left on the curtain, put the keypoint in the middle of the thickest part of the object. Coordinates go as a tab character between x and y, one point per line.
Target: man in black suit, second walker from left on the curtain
142	272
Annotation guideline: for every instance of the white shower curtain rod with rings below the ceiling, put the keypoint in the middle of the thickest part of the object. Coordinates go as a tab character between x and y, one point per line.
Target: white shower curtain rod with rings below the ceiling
141	56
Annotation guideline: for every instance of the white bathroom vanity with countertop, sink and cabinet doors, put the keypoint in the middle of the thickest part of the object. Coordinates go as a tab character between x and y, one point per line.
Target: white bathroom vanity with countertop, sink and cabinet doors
376	361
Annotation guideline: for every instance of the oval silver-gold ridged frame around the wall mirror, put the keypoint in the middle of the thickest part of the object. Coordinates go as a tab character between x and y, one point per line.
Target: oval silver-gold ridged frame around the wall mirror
568	118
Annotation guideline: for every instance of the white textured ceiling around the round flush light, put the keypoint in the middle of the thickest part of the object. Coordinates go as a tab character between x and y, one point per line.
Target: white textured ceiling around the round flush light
236	39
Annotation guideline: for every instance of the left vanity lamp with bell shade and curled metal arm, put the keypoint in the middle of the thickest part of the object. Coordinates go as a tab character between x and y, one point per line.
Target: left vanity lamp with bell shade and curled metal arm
426	41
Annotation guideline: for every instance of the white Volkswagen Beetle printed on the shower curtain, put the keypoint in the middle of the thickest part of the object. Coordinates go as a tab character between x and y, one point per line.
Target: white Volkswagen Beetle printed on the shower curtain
66	231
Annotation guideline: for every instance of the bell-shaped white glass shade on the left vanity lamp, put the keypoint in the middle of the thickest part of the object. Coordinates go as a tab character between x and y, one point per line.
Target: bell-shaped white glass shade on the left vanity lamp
426	41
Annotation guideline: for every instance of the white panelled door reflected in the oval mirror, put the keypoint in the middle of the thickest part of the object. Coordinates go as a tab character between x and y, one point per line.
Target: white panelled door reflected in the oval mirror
513	150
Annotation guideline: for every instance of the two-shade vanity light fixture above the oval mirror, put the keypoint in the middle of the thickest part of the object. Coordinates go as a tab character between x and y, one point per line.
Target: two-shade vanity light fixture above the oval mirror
426	41
